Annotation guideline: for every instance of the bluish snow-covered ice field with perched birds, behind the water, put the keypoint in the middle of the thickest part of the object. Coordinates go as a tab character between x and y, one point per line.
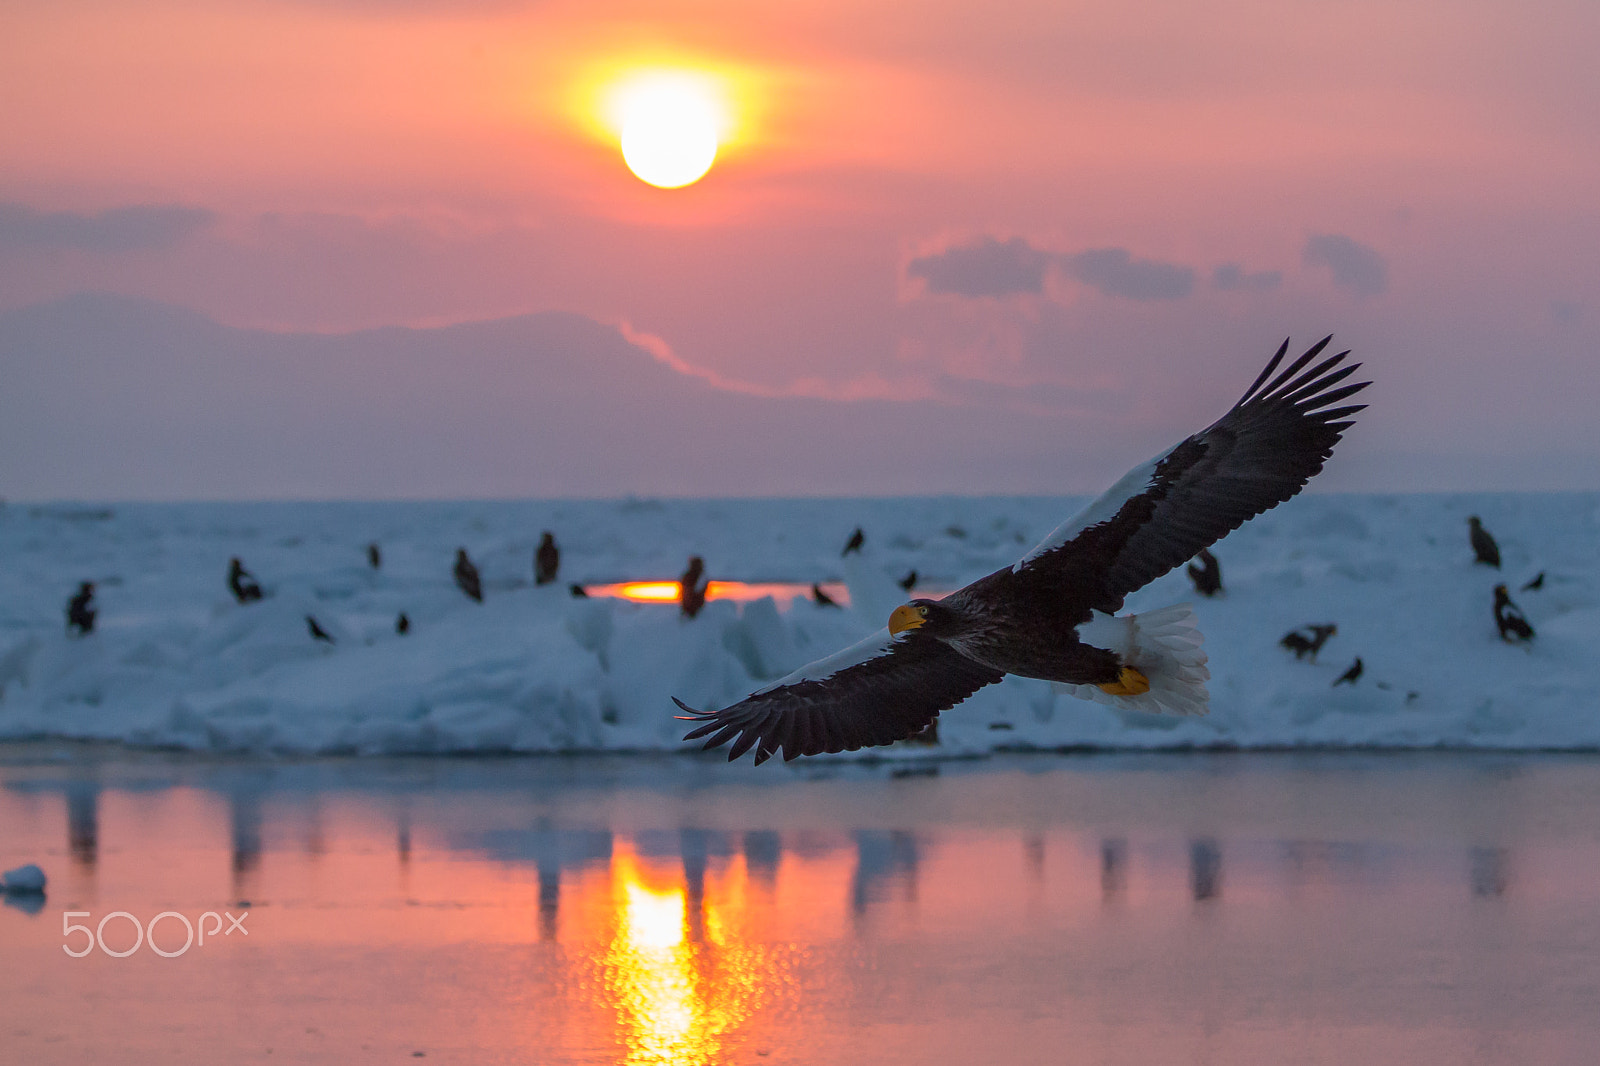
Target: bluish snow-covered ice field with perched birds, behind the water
175	662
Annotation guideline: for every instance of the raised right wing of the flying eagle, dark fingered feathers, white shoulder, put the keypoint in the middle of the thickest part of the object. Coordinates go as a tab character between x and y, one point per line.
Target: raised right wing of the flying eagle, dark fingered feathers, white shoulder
1166	511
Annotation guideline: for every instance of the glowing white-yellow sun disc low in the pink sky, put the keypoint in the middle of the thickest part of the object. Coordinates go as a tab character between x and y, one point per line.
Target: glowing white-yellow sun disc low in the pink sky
671	126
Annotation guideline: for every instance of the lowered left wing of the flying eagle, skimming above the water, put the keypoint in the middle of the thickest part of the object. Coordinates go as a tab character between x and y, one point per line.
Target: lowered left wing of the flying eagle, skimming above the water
874	692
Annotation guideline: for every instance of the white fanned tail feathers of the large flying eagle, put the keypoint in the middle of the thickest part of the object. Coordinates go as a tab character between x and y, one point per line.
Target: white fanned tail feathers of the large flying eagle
1166	647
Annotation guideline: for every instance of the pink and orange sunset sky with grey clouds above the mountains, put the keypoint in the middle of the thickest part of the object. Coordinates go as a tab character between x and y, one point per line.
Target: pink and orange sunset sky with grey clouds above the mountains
1036	206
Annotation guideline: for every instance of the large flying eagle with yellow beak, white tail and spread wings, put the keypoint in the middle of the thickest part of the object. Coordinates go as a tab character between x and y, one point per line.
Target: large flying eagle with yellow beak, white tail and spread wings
1052	614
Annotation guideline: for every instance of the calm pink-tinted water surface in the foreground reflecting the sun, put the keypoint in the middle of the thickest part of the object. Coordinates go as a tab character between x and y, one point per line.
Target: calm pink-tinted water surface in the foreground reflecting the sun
638	910
